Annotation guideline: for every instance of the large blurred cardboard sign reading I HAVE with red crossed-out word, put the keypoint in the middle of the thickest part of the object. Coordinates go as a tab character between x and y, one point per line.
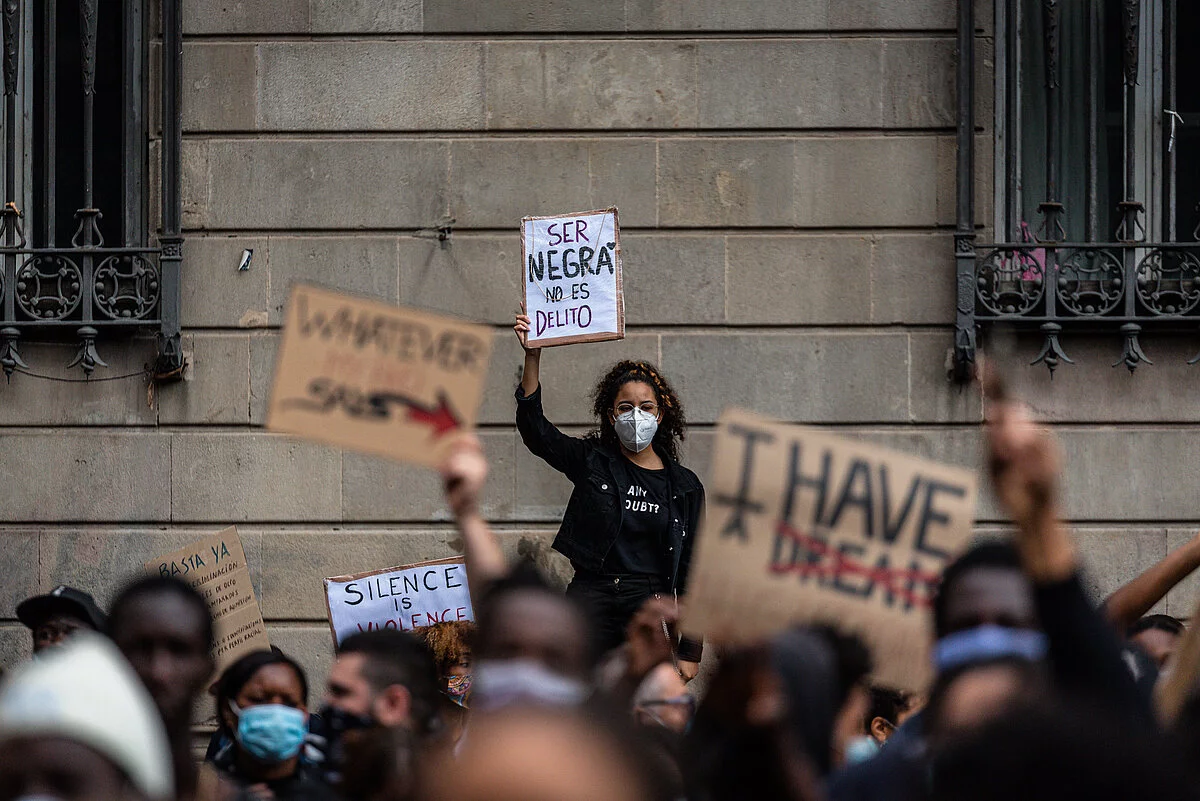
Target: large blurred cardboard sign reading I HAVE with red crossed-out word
807	527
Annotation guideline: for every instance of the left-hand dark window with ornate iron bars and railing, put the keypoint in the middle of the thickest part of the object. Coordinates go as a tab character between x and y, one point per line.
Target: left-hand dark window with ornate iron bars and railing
81	258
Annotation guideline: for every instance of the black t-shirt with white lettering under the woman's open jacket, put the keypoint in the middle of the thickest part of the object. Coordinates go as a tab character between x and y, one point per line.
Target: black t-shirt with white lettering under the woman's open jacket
645	517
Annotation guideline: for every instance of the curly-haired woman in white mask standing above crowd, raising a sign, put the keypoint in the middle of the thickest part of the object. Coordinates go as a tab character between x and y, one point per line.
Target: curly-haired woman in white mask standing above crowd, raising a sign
633	516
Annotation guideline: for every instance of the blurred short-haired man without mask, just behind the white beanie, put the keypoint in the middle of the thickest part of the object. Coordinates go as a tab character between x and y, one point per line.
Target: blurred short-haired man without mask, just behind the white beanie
165	630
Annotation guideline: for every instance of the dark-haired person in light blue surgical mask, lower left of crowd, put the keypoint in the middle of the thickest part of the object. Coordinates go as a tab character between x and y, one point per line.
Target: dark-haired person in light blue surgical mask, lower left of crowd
263	712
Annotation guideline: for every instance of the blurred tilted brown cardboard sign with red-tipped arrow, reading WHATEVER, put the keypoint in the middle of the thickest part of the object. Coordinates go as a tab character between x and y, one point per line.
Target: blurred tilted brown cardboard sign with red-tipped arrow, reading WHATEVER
376	378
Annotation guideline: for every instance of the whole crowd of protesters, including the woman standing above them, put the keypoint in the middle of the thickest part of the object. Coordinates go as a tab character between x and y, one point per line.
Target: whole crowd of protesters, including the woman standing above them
591	695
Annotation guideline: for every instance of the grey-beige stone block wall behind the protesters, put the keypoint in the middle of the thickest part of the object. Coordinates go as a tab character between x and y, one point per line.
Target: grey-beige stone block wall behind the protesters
785	177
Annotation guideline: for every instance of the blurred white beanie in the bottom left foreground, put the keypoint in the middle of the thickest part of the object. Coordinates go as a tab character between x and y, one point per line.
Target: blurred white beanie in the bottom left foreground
87	692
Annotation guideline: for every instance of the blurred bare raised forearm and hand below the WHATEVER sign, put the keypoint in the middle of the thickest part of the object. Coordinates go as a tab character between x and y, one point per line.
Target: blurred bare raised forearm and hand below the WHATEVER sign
464	475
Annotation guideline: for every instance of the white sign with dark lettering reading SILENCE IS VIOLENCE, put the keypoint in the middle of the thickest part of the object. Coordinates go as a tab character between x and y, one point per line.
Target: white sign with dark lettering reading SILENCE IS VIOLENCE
399	598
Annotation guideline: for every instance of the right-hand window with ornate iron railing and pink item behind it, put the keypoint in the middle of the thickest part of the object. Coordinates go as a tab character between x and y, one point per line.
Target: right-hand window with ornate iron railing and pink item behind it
1097	180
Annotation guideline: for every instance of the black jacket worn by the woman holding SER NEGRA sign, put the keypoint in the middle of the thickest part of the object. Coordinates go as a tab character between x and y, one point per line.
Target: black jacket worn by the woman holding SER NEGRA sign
602	478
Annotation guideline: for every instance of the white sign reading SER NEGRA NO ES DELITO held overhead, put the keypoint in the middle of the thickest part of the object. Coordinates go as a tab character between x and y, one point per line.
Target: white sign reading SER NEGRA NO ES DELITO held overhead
572	273
